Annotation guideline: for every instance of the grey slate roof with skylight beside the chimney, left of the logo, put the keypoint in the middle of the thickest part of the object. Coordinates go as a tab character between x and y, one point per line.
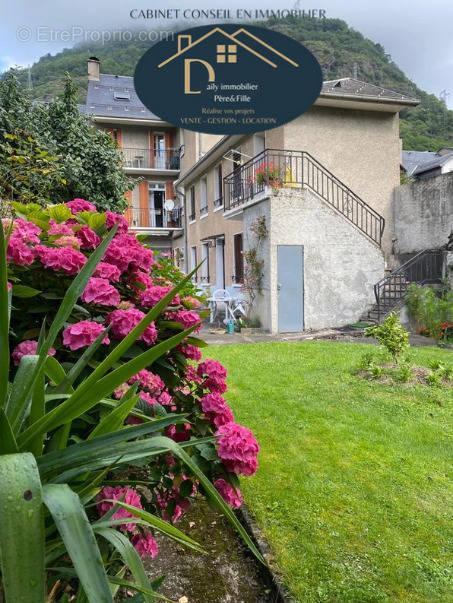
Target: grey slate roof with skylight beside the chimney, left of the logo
101	99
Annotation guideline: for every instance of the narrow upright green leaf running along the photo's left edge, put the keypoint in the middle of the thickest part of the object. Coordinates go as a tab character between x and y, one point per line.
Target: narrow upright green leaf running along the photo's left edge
4	321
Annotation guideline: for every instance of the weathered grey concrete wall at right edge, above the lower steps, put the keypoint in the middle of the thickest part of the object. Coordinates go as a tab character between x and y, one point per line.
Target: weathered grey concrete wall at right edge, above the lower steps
423	214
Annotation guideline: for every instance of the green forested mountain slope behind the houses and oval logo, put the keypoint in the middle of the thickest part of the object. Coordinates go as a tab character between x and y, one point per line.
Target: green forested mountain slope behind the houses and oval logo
341	51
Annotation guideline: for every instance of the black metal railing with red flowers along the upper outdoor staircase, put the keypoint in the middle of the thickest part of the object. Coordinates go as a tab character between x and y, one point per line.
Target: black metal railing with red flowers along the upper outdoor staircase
297	169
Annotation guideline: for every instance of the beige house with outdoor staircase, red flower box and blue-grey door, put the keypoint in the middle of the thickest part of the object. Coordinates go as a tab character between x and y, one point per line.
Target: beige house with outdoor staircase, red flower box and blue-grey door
323	184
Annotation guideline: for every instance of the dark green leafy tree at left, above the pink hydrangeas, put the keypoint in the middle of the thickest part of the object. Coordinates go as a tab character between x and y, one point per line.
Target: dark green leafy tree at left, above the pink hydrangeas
84	162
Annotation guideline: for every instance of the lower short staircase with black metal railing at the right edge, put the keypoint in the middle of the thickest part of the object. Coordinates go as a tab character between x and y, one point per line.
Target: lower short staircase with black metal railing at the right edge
425	268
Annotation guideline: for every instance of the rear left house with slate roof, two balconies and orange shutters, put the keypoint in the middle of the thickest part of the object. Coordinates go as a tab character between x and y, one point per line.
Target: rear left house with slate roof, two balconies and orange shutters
151	149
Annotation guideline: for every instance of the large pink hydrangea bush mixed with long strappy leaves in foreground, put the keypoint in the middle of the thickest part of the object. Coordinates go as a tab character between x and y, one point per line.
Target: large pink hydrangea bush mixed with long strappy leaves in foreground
103	356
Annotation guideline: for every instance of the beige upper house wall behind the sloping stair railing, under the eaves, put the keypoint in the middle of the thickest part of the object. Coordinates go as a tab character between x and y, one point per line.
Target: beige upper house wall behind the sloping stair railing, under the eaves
361	148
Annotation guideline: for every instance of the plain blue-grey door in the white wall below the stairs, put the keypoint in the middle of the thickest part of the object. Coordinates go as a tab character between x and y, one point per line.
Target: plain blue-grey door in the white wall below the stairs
290	285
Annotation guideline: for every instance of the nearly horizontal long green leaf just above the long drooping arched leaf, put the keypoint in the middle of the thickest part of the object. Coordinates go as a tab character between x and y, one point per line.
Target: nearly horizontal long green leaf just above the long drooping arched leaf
86	451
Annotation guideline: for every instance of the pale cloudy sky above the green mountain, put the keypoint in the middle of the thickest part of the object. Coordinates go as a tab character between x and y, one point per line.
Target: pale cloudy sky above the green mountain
416	33
